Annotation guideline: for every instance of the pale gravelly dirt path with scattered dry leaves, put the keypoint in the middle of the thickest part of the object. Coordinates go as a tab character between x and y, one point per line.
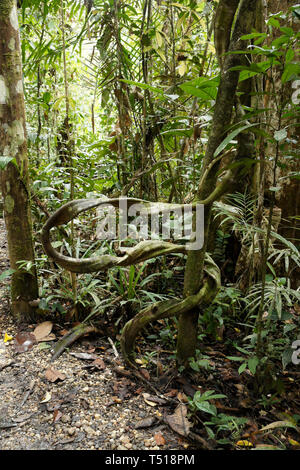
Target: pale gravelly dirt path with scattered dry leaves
87	407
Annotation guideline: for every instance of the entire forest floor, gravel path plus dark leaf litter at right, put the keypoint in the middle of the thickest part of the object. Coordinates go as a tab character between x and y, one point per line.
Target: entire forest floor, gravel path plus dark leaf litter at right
86	399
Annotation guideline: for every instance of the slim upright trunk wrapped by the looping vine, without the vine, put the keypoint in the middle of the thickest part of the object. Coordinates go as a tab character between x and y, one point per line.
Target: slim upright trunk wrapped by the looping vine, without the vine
187	325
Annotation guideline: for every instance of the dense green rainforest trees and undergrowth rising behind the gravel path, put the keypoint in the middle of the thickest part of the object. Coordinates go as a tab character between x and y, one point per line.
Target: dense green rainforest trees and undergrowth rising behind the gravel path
170	105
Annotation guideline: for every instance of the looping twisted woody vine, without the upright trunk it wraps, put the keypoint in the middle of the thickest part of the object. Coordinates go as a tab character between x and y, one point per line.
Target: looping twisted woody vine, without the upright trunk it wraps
143	251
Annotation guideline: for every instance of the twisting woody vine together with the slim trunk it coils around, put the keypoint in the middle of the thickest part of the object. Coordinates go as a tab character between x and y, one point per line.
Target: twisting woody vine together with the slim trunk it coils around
202	277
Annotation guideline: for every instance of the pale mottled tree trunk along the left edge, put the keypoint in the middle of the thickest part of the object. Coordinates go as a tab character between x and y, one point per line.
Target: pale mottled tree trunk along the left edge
14	178
